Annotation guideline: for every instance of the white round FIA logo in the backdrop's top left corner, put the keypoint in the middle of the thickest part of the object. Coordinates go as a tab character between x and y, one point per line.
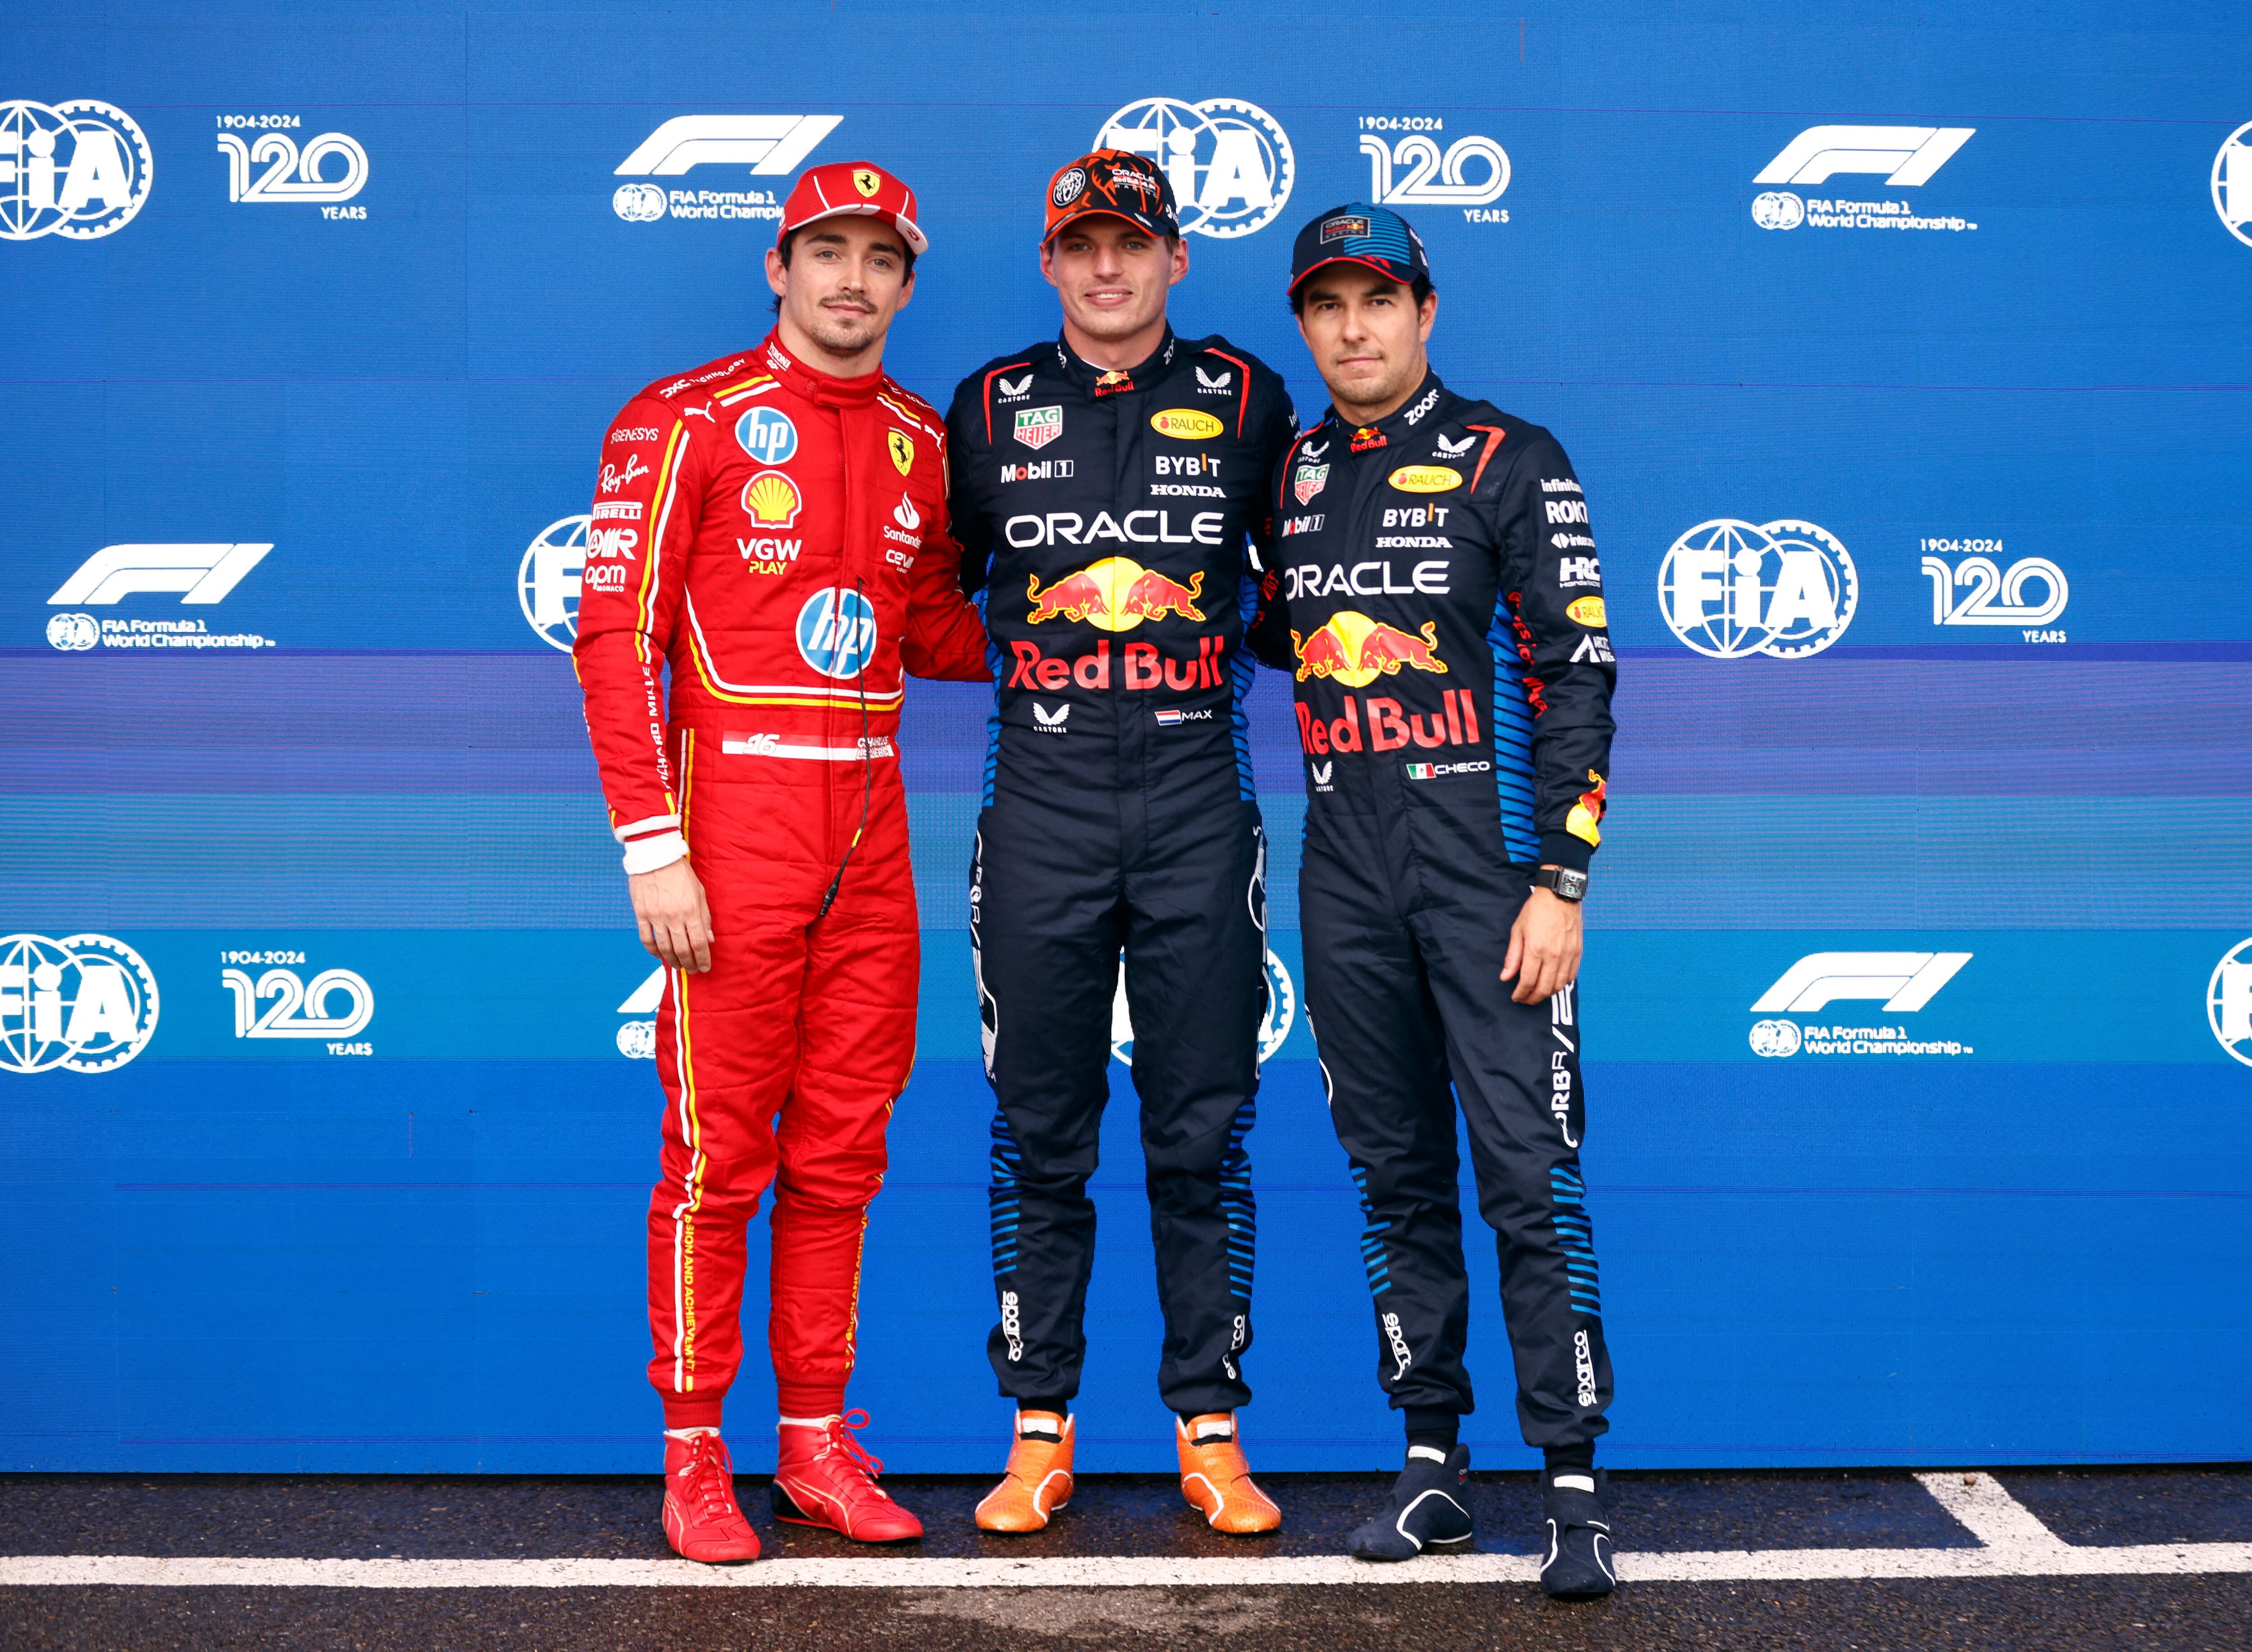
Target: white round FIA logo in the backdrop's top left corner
78	170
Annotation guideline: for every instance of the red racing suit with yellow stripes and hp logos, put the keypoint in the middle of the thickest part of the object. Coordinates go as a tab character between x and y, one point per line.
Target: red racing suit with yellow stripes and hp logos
778	539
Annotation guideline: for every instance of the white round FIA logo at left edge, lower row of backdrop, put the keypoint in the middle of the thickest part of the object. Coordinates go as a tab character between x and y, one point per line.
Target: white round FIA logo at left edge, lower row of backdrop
87	1005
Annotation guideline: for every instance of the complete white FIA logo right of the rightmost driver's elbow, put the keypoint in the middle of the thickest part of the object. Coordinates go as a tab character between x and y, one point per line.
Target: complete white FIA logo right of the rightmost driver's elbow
1735	589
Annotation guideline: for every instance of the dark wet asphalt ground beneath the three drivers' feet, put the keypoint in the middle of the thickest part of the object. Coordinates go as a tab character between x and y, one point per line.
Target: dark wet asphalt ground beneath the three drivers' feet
614	1520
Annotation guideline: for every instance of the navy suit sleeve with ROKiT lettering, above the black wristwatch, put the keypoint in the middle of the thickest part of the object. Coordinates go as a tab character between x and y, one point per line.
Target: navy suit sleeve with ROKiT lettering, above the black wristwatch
1553	613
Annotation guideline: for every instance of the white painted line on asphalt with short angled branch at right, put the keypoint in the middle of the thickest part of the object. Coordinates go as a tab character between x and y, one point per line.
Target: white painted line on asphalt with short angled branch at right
2014	1545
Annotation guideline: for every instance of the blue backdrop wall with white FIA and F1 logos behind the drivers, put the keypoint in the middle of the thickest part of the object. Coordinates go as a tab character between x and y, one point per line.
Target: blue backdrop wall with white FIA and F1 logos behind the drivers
1904	357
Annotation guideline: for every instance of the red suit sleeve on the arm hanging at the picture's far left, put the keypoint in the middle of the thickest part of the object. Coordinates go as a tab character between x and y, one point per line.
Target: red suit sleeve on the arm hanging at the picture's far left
647	499
